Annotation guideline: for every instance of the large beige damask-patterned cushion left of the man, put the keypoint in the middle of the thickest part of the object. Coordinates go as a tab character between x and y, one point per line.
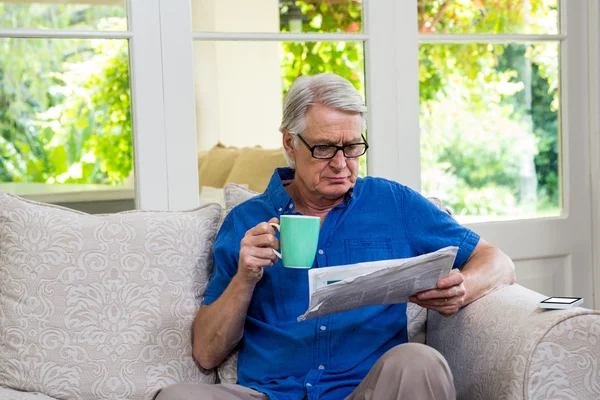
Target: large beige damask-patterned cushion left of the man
100	306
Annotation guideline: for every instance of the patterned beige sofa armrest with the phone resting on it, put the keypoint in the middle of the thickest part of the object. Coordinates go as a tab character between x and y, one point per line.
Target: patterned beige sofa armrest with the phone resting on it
503	346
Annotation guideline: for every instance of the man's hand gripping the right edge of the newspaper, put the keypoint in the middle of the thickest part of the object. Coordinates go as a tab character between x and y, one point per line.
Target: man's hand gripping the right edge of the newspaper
447	299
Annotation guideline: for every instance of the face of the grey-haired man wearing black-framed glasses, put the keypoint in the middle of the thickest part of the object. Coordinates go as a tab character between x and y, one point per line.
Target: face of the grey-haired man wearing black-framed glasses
327	126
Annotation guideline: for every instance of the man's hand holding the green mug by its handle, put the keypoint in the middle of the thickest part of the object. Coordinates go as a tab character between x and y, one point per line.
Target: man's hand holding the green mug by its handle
256	251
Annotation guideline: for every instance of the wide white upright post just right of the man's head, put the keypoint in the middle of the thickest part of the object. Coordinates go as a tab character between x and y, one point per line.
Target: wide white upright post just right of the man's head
393	91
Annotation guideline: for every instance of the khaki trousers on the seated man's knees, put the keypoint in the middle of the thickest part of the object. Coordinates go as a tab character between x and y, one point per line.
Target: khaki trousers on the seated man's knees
408	371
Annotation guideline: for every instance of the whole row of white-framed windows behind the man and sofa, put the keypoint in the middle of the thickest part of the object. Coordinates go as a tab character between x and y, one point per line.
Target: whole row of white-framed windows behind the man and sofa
185	63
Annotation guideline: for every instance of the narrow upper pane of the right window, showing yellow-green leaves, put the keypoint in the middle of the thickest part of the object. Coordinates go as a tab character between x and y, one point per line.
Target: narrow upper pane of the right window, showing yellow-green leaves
488	16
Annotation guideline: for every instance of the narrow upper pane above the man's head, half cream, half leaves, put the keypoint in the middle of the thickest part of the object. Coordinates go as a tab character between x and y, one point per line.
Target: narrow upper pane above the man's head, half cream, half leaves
277	16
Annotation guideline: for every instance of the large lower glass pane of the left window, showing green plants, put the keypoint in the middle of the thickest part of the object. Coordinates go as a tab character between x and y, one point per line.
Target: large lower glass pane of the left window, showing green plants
65	117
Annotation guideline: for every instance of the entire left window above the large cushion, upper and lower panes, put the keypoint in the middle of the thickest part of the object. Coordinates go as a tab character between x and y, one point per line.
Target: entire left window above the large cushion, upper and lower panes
65	119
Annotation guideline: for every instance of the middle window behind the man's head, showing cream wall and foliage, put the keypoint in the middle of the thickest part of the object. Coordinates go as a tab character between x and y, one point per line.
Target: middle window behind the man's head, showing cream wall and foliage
247	74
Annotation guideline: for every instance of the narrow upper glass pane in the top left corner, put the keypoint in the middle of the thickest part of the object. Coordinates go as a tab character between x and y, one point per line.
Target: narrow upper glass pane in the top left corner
109	15
